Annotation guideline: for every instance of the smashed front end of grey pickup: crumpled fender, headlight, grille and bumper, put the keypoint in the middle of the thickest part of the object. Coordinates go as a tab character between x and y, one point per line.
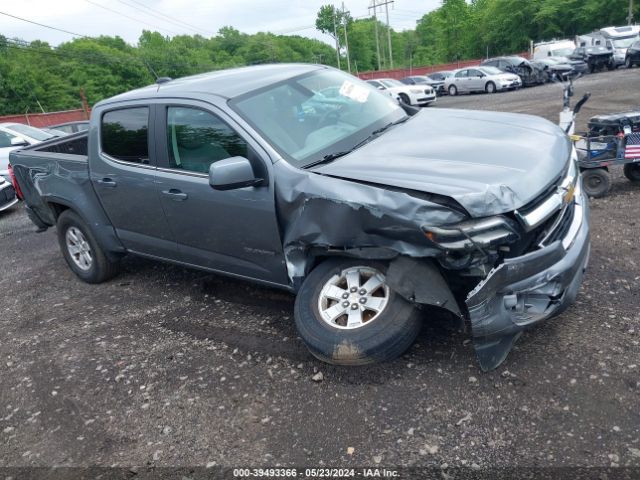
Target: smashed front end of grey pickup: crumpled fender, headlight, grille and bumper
513	269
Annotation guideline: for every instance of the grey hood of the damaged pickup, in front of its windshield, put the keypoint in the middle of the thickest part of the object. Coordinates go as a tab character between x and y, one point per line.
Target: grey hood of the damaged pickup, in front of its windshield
489	162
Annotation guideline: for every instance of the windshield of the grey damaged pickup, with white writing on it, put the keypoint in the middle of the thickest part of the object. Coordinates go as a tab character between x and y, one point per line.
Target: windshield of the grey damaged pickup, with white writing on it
314	115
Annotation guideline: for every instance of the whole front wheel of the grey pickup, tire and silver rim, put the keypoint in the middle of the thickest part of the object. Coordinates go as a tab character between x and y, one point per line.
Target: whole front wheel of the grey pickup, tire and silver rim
383	336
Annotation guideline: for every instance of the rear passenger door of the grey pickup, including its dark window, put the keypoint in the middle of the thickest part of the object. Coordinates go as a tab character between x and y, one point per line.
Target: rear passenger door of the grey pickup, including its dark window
123	172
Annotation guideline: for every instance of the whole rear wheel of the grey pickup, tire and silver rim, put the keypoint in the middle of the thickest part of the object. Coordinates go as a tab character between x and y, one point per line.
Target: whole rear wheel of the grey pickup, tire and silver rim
81	251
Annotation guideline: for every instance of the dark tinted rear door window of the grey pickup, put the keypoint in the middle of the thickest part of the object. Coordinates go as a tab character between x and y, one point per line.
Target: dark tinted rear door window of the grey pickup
125	134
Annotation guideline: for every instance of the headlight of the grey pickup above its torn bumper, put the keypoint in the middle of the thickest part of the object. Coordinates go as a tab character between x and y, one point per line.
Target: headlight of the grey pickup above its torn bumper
473	234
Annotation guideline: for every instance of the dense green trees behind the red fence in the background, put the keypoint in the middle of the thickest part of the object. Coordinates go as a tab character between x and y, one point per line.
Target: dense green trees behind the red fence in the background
34	76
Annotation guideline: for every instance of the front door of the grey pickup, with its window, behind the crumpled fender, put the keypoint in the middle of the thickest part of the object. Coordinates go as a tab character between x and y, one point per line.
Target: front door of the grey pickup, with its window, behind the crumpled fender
232	231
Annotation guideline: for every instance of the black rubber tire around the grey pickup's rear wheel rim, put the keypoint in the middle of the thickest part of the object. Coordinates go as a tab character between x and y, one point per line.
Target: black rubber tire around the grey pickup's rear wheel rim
100	268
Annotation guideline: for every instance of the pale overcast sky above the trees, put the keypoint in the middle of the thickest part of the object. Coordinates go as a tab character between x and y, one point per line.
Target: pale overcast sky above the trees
127	18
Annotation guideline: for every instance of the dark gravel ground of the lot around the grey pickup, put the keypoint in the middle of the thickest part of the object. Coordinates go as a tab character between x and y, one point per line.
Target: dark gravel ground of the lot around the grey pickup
168	367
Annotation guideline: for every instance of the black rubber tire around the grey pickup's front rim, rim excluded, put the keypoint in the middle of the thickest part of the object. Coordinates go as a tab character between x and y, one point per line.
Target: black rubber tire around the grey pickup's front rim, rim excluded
386	337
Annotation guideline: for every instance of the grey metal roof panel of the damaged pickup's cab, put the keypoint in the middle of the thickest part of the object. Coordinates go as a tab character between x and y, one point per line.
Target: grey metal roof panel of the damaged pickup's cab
225	83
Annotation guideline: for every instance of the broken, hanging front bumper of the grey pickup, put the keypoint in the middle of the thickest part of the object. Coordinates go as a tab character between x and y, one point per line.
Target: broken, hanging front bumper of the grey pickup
526	290
